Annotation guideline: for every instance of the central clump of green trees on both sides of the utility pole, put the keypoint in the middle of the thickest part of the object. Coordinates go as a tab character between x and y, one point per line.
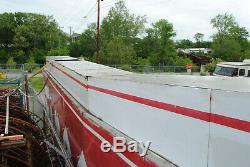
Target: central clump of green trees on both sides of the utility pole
124	40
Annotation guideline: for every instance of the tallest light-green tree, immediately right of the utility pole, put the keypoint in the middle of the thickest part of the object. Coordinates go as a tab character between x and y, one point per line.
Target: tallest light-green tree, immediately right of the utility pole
124	28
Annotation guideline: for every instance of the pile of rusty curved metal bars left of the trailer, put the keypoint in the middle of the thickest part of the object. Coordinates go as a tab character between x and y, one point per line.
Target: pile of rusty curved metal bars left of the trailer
15	120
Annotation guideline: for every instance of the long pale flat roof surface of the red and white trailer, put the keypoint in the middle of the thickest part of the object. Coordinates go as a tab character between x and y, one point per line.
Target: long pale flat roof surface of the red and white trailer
85	68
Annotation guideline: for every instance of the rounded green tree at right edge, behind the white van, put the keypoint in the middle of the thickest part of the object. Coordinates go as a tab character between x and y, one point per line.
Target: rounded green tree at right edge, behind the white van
230	42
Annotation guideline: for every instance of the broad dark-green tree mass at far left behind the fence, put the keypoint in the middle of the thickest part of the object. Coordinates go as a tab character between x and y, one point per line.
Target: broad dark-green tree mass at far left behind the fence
21	34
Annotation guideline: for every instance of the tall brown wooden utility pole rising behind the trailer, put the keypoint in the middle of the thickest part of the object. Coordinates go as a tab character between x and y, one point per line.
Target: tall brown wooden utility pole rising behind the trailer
98	33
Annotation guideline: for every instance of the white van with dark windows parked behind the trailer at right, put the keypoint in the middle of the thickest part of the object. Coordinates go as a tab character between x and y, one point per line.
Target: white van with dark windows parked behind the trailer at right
233	69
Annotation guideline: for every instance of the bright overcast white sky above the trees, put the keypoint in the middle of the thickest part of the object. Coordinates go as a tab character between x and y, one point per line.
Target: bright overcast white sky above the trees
188	16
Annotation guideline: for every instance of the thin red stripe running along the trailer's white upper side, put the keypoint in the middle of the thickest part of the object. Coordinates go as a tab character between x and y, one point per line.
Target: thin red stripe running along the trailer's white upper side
204	116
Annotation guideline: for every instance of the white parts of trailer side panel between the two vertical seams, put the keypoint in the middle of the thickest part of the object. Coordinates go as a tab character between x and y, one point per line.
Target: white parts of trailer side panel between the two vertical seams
180	139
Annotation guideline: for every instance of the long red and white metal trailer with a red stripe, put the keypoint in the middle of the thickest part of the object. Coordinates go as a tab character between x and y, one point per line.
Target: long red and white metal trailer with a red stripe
191	121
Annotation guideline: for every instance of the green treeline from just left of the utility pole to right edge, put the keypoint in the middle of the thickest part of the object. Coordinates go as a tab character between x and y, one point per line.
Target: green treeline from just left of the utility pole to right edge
125	40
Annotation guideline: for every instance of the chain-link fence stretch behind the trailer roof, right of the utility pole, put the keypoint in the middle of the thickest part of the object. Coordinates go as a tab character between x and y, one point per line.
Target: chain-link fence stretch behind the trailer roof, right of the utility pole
156	69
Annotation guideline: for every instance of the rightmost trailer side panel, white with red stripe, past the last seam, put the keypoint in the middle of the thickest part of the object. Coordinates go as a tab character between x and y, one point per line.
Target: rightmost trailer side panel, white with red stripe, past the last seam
230	147
